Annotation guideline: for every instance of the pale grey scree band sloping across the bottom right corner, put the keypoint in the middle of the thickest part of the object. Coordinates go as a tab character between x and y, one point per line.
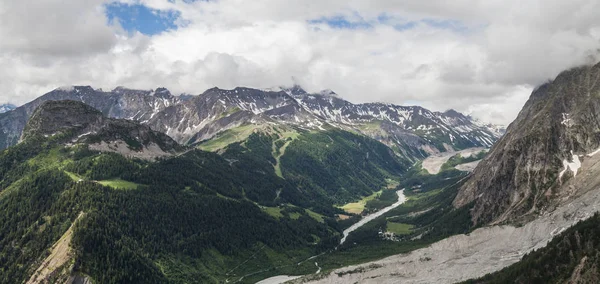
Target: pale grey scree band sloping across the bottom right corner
464	257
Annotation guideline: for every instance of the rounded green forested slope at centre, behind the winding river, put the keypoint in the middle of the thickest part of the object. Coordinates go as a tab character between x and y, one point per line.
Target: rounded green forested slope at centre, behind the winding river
344	166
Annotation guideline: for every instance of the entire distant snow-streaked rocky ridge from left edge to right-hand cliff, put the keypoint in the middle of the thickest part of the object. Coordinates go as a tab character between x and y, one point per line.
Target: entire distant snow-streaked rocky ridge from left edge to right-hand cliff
412	131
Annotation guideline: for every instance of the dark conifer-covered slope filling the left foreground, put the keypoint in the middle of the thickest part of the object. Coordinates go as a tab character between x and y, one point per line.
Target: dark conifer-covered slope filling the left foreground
140	235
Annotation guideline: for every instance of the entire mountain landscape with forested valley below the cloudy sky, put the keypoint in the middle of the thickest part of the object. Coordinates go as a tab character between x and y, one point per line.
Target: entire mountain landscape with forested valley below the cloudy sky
133	186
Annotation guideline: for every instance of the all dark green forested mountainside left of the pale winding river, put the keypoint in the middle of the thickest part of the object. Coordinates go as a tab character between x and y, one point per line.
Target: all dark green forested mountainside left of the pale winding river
199	217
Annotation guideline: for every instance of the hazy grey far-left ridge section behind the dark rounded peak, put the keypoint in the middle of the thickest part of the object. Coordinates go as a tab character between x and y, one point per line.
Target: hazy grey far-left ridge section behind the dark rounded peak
119	103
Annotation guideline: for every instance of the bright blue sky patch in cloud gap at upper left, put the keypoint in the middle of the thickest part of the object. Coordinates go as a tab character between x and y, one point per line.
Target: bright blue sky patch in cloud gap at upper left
141	18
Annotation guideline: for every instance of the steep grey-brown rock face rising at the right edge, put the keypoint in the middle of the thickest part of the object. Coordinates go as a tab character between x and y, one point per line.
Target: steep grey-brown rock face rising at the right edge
538	162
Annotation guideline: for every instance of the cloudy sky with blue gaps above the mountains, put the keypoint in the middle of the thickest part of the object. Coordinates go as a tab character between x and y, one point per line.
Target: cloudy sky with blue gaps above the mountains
479	57
